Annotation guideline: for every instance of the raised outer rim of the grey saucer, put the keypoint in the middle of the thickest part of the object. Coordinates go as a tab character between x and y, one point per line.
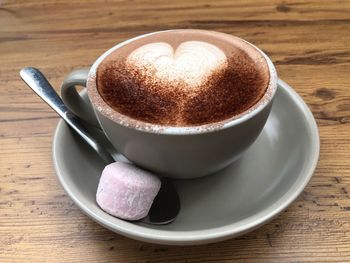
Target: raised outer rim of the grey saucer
192	237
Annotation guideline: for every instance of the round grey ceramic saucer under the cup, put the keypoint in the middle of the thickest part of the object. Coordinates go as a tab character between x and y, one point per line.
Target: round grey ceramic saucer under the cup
270	175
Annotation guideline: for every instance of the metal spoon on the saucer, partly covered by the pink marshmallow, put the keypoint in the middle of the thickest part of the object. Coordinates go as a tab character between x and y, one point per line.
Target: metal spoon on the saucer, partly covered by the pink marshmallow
166	205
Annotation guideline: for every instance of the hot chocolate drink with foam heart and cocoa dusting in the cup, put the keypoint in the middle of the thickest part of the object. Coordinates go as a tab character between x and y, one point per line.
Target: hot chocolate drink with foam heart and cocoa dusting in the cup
183	78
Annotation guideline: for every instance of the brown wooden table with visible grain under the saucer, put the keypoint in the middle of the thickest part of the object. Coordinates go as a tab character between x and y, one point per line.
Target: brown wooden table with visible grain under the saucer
309	42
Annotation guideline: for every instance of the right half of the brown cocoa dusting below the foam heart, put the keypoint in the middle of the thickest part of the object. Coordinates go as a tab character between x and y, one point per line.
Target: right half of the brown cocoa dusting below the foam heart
226	93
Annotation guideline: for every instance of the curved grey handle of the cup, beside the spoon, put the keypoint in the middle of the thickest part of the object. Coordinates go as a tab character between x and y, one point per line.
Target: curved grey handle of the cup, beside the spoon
73	99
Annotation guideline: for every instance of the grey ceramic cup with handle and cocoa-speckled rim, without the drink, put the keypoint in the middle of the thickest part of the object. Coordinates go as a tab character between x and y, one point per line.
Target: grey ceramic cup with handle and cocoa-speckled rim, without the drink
176	152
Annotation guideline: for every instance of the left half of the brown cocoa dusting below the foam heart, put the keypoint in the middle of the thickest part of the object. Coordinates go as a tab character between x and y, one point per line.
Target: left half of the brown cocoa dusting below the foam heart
133	94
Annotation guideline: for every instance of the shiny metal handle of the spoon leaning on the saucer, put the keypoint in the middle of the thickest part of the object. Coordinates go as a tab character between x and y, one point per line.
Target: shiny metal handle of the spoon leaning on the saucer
40	85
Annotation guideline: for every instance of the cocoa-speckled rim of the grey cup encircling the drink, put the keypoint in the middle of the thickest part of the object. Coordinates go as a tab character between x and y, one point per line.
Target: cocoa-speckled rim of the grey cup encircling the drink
139	125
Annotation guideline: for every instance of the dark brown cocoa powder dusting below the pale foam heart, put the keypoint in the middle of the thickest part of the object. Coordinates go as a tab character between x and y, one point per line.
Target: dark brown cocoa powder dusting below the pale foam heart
226	93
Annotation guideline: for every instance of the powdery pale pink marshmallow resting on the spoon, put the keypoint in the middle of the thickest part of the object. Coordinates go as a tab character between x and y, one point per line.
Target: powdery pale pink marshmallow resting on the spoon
126	191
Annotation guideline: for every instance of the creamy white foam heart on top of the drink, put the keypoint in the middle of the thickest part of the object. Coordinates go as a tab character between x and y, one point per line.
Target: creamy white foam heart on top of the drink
191	63
